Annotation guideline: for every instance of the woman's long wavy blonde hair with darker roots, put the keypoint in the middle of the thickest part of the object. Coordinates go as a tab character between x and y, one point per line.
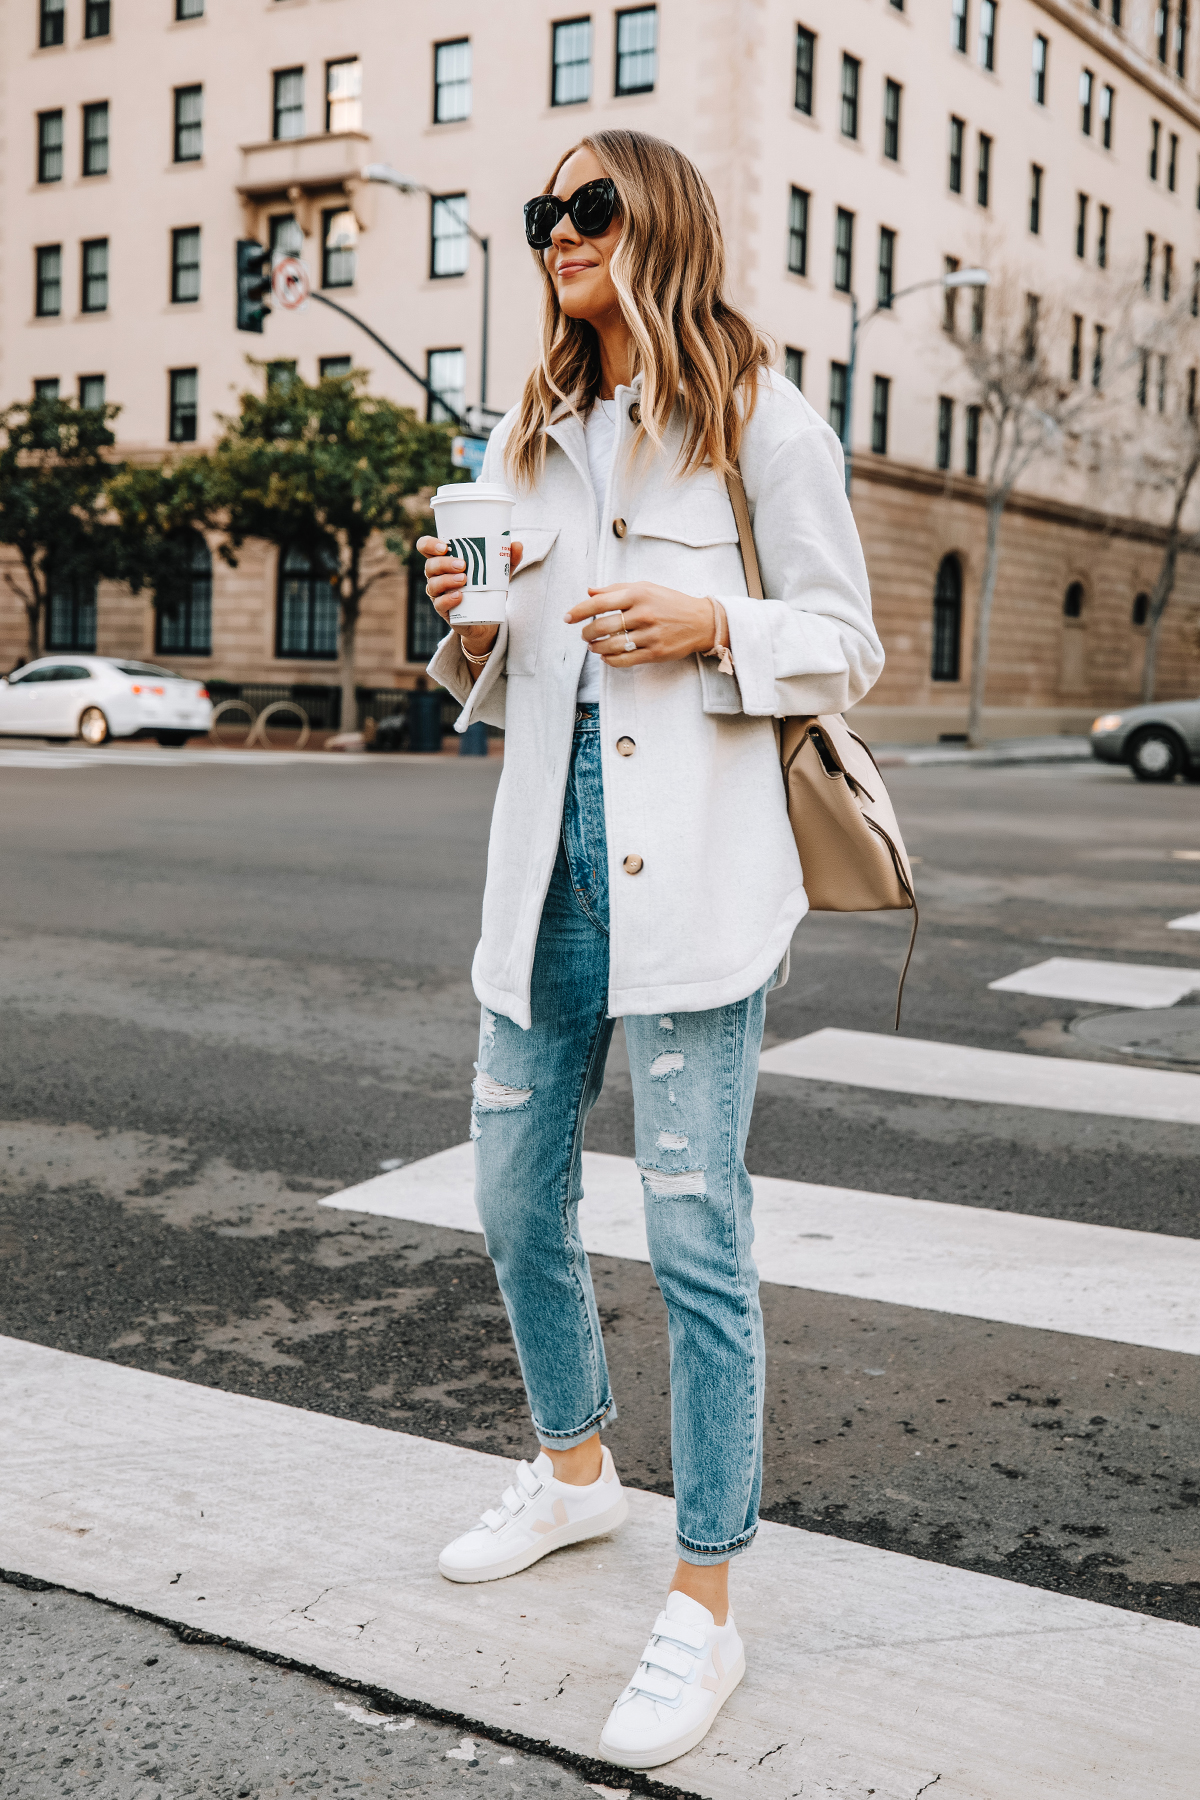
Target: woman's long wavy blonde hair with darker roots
690	345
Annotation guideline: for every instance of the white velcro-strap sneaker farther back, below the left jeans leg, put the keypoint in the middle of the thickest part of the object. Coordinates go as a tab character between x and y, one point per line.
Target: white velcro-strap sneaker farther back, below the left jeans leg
537	1515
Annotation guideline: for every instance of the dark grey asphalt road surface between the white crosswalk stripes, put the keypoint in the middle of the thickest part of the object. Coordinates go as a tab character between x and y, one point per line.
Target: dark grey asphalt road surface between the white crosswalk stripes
229	991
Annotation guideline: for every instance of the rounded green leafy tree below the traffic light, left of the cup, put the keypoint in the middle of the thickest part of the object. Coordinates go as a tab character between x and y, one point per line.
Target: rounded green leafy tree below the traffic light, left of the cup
325	469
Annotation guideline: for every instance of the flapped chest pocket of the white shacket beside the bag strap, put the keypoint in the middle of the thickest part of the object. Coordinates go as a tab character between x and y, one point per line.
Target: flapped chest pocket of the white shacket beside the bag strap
686	537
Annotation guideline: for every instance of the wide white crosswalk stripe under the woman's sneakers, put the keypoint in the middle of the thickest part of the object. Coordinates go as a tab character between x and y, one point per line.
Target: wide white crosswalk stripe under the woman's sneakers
314	1538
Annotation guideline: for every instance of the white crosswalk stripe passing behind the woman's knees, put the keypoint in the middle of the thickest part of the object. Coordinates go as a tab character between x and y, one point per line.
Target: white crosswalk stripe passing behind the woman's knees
1053	1275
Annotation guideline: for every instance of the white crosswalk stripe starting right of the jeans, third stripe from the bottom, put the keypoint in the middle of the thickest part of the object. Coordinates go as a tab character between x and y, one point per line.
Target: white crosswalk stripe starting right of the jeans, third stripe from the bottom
1001	1077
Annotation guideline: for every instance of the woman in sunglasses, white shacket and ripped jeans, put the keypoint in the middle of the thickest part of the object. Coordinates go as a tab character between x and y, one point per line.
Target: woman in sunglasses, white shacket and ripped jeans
641	863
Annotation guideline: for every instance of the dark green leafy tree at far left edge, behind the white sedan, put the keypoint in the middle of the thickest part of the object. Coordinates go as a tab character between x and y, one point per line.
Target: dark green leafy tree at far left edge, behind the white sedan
53	499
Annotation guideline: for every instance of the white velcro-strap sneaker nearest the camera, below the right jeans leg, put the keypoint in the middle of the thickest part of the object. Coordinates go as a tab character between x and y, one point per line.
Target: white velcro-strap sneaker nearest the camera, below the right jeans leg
686	1675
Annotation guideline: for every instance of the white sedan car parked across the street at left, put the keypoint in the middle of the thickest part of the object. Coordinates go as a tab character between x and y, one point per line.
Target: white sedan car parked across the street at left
102	697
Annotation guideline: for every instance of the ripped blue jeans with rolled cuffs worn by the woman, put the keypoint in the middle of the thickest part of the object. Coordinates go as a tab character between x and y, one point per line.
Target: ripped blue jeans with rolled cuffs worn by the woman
694	1092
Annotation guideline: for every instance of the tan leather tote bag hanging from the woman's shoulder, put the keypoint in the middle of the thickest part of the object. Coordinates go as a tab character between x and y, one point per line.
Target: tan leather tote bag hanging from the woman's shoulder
846	832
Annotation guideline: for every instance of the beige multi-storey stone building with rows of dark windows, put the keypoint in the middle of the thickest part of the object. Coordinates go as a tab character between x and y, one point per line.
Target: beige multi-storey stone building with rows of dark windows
852	145
